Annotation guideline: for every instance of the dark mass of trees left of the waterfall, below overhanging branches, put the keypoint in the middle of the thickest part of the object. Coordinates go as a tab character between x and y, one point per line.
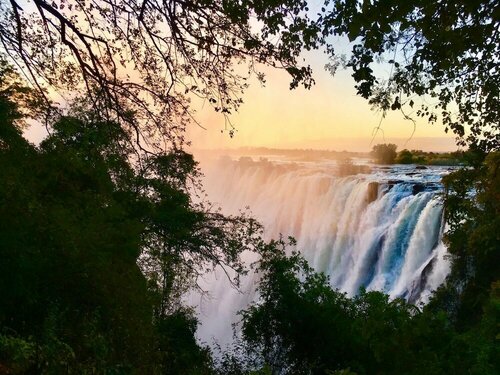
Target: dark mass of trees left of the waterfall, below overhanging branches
97	247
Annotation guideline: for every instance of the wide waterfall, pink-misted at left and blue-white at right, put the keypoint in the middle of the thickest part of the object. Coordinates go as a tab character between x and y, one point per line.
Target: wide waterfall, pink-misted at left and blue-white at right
379	231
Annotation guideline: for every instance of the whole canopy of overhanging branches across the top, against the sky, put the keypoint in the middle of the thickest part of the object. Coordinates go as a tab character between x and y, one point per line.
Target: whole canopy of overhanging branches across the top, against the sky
442	52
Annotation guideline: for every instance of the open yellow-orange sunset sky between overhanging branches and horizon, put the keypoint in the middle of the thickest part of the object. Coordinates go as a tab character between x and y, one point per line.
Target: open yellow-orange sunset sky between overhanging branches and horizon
328	116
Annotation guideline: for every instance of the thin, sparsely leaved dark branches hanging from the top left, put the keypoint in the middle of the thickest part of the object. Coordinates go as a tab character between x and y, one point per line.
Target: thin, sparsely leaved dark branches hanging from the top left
152	57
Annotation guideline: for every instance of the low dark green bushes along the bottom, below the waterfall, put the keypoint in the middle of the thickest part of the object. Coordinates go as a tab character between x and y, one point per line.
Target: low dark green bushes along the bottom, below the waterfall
300	325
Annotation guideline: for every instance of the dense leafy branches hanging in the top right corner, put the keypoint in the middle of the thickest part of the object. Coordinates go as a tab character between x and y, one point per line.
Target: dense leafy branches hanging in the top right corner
440	50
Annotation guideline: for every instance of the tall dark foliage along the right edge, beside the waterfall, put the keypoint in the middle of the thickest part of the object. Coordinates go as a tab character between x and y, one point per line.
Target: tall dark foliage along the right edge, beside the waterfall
470	296
